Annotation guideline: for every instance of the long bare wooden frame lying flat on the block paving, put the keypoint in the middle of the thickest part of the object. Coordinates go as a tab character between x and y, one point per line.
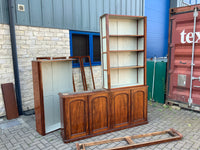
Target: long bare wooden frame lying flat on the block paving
175	136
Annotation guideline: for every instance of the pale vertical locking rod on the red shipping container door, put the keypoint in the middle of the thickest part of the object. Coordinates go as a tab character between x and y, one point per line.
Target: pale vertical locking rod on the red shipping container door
192	62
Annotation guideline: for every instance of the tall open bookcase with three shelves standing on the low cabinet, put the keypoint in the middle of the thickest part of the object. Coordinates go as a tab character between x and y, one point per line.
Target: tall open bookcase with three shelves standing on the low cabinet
123	46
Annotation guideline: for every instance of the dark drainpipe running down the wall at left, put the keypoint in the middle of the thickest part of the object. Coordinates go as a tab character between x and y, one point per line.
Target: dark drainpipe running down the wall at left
11	7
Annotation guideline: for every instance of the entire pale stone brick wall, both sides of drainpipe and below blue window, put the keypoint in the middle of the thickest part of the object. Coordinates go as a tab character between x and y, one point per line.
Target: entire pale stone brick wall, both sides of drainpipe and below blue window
35	42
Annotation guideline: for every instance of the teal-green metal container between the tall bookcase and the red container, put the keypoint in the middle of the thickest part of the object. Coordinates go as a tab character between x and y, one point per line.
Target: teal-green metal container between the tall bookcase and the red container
158	94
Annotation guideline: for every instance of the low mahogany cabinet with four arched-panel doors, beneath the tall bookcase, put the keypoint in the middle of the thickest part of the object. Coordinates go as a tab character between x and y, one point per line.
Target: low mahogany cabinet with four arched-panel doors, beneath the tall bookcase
88	114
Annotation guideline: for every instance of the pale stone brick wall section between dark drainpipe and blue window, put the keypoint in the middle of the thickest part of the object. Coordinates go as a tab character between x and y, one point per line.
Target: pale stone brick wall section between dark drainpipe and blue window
35	42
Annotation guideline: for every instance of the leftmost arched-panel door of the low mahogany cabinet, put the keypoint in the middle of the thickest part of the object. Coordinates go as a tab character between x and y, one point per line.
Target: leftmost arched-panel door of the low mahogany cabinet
77	117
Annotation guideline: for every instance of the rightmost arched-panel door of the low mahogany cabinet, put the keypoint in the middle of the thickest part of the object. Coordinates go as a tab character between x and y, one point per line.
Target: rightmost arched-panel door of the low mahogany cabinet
138	105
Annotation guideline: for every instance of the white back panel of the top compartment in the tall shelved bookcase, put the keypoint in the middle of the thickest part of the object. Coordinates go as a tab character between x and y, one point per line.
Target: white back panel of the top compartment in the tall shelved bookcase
122	27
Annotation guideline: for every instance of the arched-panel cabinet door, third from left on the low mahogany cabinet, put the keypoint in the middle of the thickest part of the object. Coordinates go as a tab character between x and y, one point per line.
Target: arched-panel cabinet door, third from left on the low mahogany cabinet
120	108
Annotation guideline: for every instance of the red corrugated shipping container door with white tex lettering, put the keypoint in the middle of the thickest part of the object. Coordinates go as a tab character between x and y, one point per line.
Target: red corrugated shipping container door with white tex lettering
180	56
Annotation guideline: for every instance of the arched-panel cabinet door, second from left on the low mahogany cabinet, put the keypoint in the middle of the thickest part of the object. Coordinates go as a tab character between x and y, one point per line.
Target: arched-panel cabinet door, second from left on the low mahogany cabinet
99	110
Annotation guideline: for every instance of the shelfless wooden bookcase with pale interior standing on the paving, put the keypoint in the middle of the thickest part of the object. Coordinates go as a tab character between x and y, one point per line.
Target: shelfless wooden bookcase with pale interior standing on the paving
50	77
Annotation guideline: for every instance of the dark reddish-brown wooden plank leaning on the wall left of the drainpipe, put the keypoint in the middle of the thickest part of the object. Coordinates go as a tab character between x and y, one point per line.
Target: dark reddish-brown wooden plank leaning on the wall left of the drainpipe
9	100
